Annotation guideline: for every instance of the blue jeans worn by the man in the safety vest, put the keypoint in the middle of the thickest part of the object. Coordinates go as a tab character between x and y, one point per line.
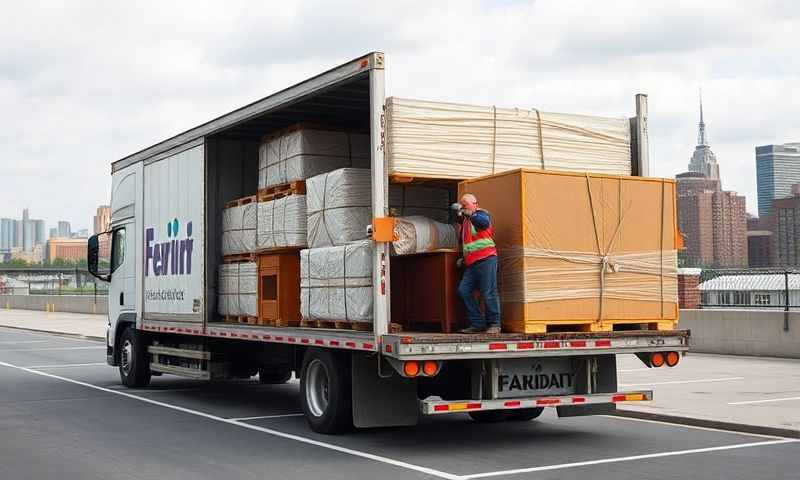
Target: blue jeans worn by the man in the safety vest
481	276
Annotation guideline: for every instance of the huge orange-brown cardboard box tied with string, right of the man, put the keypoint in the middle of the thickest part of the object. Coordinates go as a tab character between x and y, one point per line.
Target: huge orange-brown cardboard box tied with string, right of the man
557	231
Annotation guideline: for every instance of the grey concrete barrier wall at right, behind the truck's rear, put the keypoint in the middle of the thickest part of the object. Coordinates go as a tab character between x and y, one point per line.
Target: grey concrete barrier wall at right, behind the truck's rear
743	332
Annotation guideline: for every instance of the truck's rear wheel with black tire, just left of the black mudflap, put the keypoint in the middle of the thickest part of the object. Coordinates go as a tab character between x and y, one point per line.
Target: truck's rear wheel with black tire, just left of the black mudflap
325	391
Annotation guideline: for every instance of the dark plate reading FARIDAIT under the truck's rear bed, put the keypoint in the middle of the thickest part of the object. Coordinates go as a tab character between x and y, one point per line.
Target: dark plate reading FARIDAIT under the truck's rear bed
522	377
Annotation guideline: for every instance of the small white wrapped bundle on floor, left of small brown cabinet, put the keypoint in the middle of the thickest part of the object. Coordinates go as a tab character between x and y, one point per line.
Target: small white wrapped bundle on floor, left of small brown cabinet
238	289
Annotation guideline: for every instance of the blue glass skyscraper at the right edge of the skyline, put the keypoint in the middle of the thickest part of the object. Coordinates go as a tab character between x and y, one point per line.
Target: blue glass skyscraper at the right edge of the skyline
777	169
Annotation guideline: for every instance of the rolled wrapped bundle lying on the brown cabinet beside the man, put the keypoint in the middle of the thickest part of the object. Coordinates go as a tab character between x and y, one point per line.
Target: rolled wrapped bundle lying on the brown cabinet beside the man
420	234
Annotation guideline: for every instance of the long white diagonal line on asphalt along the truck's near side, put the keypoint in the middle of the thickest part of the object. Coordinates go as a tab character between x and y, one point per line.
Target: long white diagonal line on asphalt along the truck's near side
249	426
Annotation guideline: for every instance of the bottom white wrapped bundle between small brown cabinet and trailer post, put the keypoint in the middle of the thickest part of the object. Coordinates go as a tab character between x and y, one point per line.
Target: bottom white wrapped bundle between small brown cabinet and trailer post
336	283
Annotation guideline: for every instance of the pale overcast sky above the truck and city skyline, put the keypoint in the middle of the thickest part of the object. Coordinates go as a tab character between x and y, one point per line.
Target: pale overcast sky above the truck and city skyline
85	83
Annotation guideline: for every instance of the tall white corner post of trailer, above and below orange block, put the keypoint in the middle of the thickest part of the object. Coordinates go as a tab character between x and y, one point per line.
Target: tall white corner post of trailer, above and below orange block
380	186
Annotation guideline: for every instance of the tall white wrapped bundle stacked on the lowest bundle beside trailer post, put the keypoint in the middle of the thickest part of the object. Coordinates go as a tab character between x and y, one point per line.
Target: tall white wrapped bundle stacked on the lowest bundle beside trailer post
338	207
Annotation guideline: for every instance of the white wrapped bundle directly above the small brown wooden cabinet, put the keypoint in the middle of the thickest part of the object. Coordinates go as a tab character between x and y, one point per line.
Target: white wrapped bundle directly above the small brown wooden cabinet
282	222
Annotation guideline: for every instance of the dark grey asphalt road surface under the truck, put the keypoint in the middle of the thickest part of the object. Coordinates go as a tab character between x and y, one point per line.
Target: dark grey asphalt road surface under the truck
64	415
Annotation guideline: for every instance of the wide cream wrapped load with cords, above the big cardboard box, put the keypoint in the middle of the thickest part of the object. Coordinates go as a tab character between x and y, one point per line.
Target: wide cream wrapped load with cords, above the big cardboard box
447	140
